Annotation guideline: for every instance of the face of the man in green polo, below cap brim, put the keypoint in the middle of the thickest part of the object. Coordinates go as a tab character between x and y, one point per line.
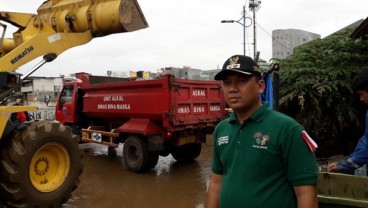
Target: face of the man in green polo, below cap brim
241	92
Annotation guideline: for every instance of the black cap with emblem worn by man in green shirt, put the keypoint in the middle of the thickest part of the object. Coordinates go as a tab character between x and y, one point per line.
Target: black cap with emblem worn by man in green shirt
240	64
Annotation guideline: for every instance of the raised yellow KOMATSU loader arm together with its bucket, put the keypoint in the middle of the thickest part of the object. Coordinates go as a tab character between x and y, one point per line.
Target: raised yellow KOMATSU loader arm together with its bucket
63	24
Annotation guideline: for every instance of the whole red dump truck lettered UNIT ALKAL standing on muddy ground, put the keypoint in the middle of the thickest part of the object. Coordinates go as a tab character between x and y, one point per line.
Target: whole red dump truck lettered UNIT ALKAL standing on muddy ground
151	117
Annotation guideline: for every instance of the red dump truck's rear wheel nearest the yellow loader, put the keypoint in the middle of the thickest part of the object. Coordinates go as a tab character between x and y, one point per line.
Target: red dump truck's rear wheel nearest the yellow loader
136	155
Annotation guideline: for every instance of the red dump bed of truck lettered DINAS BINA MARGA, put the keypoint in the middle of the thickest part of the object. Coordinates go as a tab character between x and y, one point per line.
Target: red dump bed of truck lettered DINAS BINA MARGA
178	103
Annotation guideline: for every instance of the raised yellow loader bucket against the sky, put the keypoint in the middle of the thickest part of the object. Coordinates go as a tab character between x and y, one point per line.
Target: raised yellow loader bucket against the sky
102	17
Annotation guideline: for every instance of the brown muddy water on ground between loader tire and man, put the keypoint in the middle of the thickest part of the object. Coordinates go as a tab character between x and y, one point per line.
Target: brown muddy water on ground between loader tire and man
107	183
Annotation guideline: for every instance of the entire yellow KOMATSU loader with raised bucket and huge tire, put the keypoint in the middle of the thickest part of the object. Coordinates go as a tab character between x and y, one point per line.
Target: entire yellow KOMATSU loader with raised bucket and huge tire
40	160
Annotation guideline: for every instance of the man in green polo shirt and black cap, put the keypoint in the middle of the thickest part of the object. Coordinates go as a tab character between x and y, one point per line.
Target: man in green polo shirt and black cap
261	158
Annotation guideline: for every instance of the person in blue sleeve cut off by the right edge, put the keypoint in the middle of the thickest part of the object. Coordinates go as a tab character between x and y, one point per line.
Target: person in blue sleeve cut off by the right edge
360	155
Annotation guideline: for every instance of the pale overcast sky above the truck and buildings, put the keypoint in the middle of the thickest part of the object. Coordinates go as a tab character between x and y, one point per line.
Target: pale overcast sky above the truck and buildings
189	33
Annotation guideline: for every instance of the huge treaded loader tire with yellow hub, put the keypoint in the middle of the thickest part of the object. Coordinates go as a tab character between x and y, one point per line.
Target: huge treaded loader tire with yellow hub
40	165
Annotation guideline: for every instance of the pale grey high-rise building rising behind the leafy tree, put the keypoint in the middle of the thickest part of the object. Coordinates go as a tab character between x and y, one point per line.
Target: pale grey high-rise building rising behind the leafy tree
284	41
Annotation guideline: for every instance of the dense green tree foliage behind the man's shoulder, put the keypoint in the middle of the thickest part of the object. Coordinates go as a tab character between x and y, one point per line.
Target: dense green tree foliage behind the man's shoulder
315	84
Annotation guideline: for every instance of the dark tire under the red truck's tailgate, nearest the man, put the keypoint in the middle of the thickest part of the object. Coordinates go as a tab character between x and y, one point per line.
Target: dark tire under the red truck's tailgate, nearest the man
187	152
